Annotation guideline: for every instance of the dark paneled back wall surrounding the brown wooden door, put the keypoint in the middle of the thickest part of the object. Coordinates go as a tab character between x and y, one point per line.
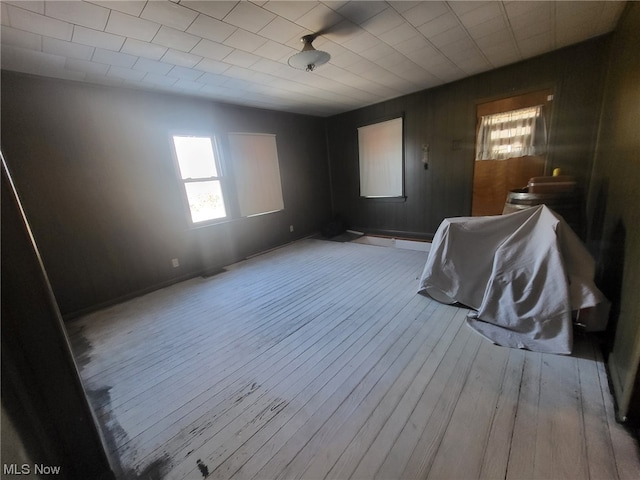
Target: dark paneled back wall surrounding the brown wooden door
445	119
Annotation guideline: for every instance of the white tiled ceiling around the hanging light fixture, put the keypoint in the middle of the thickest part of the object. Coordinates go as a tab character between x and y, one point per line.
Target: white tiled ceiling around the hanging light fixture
237	52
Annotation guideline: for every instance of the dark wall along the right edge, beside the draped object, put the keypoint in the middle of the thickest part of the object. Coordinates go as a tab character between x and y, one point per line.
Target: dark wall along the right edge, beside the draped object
614	202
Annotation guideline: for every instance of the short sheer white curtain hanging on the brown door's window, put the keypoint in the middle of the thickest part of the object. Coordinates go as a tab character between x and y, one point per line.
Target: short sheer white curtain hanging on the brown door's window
517	133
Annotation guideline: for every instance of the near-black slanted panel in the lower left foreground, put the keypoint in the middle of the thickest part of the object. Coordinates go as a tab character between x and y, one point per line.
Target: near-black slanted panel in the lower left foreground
41	389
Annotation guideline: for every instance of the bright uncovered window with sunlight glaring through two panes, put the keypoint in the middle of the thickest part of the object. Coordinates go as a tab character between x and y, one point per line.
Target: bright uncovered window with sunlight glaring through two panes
200	173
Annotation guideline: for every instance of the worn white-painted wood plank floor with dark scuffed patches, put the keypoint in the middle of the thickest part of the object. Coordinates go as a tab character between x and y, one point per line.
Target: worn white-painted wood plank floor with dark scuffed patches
318	360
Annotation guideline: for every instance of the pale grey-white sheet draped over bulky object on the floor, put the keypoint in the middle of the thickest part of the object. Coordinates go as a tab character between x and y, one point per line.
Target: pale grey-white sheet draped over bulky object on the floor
522	273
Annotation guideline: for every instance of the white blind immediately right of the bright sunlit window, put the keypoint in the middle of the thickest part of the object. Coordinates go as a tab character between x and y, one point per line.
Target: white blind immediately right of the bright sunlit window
255	160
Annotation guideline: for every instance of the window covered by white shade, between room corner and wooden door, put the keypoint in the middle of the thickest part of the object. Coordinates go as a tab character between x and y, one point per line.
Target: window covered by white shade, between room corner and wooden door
380	151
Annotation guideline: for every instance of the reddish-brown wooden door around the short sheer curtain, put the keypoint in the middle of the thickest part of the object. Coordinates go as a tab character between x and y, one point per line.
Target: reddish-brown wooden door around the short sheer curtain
493	179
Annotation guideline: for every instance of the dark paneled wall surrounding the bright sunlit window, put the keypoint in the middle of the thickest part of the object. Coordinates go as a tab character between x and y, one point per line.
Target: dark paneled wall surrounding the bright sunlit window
94	169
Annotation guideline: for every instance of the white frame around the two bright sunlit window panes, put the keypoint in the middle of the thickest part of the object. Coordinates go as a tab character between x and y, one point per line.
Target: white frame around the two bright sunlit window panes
221	177
